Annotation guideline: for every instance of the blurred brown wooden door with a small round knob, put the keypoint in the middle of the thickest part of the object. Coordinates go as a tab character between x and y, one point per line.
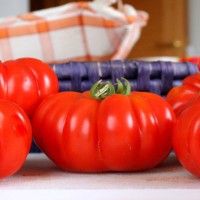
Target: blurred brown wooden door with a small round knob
166	33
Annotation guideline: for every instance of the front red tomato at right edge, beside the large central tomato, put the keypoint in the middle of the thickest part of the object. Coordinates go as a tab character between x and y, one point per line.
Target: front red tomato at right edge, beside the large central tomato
186	138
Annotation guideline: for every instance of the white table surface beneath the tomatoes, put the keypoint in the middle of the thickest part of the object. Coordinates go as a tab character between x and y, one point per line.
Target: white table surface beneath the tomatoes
39	178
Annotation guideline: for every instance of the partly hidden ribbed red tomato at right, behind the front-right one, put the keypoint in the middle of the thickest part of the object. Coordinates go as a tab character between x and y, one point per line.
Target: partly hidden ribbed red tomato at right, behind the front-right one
182	96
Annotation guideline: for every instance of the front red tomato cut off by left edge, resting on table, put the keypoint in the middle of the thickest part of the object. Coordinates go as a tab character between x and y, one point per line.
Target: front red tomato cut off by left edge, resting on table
15	137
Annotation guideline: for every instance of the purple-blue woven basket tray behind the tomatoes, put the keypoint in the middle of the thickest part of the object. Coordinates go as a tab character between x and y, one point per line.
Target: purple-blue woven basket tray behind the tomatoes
157	77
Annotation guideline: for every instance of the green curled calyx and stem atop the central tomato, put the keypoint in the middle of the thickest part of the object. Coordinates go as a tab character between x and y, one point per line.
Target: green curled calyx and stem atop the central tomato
100	90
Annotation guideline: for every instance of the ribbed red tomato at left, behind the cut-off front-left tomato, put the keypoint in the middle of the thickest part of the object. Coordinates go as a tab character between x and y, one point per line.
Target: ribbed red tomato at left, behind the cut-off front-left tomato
27	81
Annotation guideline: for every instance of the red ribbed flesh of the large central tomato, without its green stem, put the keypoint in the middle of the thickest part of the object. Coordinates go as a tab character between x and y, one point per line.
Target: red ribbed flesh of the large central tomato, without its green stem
120	133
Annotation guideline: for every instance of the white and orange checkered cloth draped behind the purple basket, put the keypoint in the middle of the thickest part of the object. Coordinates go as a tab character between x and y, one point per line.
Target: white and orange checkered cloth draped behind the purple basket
81	31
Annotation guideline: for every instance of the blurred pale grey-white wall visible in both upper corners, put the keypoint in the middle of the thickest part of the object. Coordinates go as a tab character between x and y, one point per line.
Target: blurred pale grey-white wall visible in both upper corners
14	7
